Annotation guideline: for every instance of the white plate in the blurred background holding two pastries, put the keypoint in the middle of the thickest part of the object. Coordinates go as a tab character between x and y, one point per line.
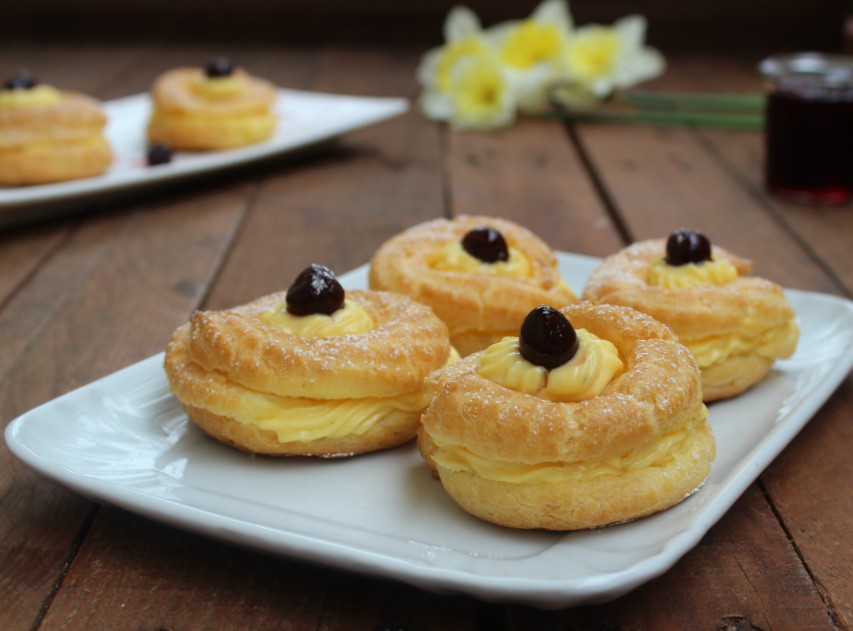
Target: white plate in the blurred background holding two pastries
304	119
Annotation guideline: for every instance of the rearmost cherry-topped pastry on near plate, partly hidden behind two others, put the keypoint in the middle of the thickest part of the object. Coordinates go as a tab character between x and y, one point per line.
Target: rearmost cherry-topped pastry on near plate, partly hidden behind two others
481	275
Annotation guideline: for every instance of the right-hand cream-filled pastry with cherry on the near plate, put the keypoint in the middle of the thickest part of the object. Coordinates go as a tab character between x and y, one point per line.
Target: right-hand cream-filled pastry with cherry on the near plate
735	325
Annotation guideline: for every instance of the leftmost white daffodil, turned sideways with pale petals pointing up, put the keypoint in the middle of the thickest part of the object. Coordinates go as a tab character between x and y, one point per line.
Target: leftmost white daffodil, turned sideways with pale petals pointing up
463	38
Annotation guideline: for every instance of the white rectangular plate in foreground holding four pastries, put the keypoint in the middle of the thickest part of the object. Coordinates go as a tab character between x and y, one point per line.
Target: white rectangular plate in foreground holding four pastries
125	440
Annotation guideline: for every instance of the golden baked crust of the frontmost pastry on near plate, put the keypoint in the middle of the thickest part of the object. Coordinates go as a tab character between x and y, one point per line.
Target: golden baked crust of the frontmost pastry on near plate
656	398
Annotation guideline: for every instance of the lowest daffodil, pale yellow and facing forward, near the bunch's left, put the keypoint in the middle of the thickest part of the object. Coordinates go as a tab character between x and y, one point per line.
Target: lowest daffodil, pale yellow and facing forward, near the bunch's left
481	96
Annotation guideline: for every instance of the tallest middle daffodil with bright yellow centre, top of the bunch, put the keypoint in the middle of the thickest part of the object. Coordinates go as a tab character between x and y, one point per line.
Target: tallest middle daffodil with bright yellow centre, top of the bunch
532	50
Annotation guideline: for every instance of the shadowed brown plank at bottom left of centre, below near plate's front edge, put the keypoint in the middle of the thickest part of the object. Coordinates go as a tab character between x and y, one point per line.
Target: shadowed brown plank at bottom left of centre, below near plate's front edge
162	578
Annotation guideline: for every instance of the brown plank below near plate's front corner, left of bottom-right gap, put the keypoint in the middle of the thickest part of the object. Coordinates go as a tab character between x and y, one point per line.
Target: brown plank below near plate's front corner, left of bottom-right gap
742	570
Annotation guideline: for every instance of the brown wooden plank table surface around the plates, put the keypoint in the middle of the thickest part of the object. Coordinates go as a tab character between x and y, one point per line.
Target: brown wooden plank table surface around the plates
86	294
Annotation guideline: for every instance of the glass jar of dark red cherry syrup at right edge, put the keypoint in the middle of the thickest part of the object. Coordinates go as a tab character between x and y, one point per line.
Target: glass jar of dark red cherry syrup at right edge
809	127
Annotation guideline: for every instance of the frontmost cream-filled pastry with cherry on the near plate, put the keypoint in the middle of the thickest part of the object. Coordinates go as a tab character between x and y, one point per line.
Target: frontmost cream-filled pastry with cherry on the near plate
592	416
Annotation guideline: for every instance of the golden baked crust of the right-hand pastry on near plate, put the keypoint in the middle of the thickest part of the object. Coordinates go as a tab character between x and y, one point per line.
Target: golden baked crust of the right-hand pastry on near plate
749	306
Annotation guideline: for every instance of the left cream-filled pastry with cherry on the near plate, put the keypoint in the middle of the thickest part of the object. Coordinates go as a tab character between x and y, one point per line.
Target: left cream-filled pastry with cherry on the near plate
310	371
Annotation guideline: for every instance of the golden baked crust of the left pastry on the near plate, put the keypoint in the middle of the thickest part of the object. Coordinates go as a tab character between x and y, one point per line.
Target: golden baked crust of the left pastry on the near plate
229	368
